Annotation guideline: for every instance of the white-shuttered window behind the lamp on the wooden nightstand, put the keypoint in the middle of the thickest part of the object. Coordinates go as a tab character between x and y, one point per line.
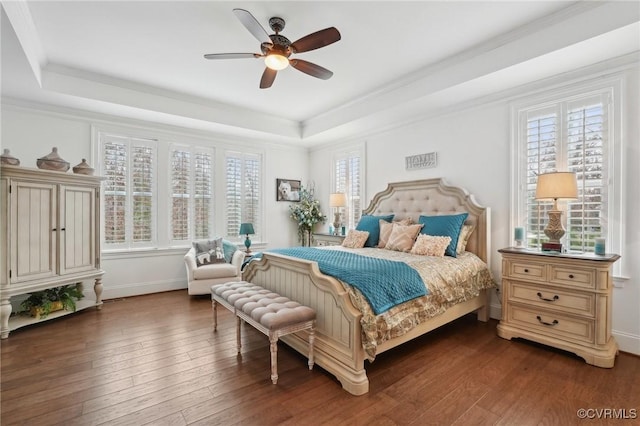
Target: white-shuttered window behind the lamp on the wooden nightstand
575	132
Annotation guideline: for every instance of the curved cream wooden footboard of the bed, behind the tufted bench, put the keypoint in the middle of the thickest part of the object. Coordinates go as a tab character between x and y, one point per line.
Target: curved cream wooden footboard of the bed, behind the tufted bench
338	341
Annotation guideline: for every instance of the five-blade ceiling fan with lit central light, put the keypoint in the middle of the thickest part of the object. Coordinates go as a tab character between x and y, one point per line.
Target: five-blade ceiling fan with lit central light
276	48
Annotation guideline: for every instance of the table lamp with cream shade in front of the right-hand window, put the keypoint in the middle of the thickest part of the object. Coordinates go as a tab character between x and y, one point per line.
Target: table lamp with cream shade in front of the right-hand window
552	186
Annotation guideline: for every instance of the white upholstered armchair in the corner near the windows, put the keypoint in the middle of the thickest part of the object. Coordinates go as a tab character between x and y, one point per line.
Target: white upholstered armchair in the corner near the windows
201	278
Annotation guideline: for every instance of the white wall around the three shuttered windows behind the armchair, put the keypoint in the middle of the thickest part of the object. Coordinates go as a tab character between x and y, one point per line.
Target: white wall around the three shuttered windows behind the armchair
31	132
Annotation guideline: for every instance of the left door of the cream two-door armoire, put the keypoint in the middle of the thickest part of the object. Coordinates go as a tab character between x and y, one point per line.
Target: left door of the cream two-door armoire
33	230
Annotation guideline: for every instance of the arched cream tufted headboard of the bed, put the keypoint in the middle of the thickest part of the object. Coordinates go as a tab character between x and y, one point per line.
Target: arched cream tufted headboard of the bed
430	197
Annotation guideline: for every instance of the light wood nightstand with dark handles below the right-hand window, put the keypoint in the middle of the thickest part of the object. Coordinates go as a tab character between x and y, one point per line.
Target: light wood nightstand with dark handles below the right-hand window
560	300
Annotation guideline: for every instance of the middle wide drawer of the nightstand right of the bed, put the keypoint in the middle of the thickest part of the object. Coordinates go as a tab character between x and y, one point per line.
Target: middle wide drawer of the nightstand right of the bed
549	298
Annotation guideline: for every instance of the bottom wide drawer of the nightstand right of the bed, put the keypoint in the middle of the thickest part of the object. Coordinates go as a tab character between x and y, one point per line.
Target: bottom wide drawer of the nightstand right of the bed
552	323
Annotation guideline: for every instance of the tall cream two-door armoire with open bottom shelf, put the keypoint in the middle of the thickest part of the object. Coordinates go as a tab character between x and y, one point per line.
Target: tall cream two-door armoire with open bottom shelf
49	232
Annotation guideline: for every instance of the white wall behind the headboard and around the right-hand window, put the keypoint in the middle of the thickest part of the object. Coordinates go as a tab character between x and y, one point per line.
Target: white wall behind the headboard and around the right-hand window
473	149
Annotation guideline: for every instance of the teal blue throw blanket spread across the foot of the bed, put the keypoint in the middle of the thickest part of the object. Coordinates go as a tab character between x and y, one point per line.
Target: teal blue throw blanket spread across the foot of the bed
384	283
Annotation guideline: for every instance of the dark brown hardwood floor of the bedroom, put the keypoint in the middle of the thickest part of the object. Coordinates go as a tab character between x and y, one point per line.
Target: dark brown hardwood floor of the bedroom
155	360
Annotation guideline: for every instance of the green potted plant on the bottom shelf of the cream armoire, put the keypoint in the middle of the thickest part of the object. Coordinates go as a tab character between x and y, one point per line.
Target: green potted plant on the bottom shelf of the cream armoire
42	303
